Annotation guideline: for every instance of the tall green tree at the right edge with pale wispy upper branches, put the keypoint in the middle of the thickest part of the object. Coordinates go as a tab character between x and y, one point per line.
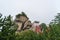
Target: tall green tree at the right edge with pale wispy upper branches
55	28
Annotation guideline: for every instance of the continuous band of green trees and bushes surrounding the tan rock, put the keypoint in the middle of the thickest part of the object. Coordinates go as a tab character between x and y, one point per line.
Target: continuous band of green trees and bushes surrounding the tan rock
7	32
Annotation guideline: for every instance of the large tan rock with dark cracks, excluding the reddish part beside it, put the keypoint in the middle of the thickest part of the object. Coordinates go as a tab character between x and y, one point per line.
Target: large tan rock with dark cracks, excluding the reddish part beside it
23	22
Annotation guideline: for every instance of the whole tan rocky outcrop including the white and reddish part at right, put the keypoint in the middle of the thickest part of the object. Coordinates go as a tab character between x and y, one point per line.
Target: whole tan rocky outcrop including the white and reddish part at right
24	23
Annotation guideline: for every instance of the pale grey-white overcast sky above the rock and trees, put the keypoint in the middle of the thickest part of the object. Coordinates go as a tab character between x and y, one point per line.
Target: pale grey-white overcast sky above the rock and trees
40	10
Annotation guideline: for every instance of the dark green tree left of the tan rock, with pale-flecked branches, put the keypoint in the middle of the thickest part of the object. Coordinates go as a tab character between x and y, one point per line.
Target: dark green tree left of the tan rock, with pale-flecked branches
8	28
